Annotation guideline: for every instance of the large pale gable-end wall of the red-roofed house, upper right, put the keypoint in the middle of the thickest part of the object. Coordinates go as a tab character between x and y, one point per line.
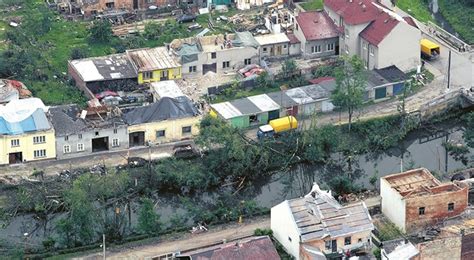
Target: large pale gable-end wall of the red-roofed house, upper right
405	54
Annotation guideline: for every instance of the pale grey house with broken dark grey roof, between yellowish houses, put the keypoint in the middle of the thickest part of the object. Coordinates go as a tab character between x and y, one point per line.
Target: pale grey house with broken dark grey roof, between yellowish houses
82	132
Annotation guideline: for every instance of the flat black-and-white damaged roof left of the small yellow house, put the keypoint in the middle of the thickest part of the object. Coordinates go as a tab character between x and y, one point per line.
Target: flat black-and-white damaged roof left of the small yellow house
111	67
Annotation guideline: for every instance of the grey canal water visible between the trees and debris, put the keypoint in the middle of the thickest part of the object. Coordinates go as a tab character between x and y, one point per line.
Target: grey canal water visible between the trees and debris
421	149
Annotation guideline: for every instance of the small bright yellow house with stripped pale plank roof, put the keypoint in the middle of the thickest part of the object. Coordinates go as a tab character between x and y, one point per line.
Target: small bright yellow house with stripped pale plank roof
154	64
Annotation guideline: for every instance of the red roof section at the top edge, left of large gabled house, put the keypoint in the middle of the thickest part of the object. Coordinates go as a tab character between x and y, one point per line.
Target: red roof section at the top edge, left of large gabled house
354	11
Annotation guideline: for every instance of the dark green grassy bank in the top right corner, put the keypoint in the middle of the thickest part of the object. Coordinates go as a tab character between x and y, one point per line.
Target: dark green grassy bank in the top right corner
460	16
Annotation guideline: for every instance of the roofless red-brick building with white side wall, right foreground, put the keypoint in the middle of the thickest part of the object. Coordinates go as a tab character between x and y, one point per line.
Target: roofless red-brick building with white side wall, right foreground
415	199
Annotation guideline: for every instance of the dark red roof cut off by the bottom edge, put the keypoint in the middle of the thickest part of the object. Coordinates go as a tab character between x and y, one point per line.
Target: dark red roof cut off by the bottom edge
254	248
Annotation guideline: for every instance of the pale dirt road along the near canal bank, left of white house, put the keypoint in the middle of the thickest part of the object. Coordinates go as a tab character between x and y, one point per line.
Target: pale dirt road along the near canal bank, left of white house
188	242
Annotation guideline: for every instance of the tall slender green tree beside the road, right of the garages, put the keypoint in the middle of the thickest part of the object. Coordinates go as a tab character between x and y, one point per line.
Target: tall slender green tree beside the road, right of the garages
351	81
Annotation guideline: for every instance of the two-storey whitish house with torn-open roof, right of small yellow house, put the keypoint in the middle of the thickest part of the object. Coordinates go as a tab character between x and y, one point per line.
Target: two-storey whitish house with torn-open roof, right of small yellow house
216	53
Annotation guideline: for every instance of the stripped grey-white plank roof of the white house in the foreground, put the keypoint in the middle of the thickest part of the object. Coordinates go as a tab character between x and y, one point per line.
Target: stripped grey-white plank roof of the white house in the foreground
318	215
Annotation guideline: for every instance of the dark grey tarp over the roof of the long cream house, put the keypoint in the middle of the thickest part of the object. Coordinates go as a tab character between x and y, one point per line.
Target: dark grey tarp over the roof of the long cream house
165	109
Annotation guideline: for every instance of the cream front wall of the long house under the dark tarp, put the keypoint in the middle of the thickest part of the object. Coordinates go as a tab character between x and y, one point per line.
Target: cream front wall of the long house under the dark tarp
173	129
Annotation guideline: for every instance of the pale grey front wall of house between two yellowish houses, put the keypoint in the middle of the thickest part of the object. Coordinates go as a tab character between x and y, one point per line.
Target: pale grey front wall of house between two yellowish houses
86	140
